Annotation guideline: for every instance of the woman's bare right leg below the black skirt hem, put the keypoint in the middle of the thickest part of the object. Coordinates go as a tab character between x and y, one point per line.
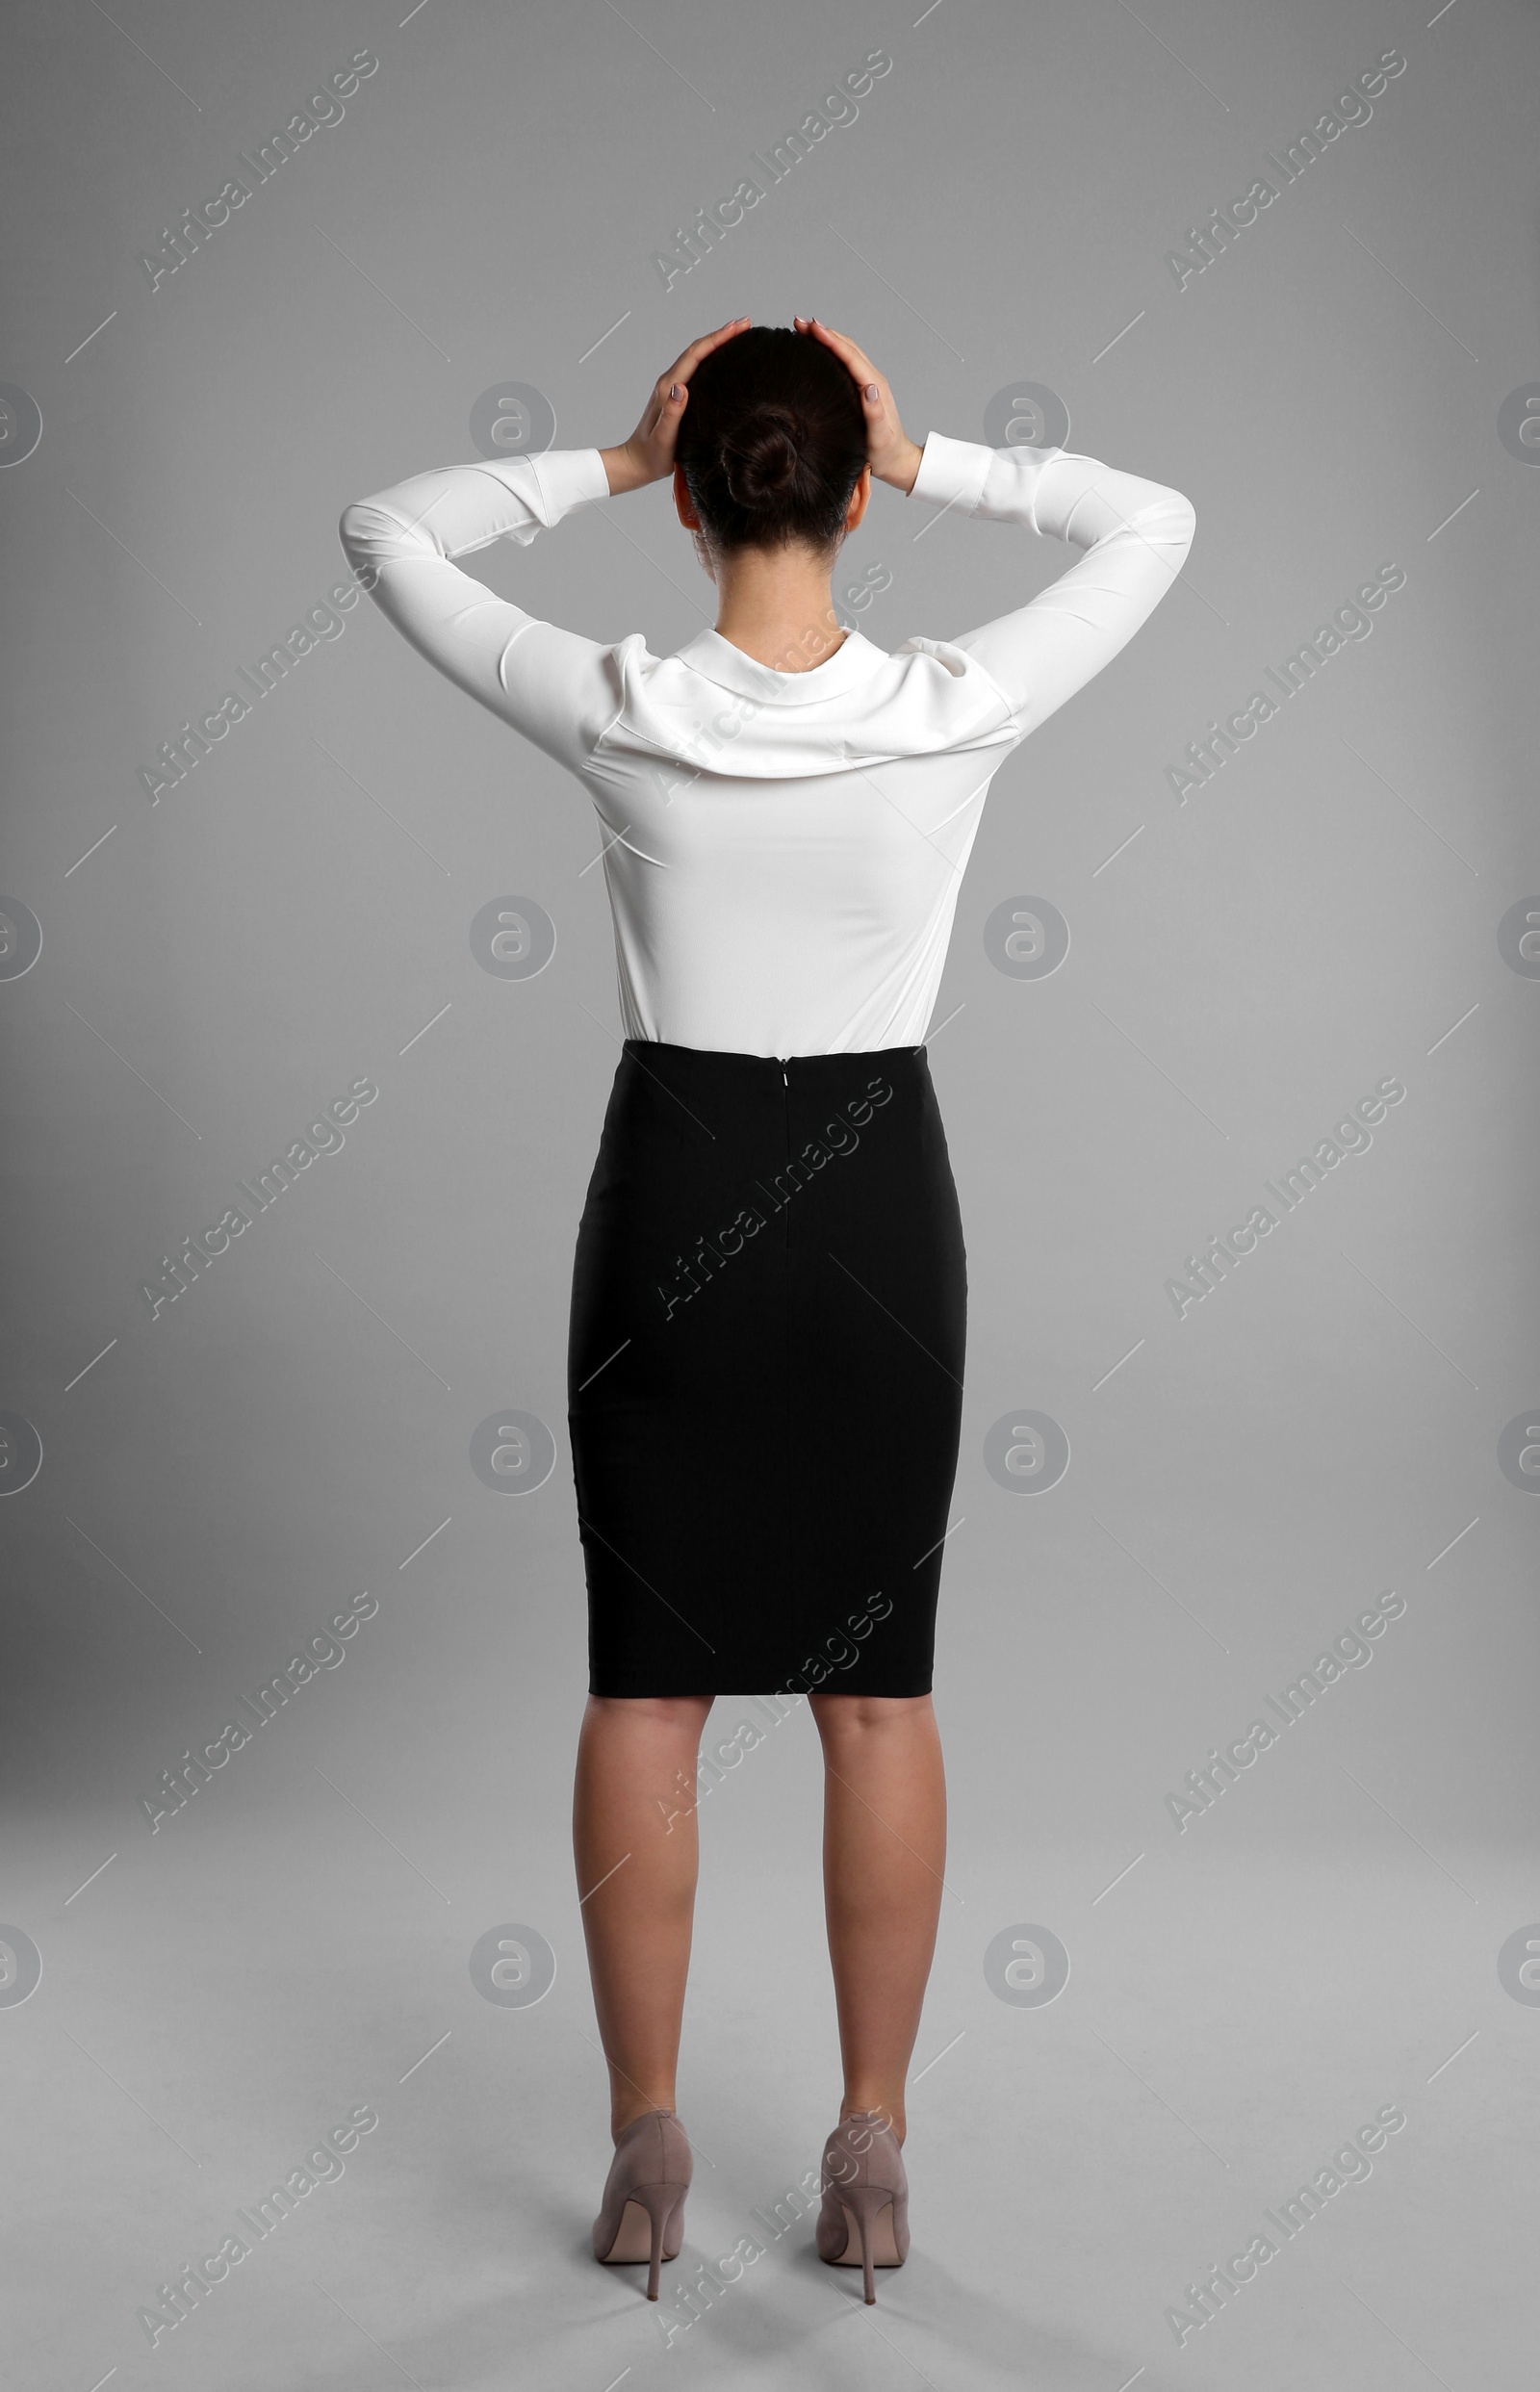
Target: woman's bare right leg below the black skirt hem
884	1855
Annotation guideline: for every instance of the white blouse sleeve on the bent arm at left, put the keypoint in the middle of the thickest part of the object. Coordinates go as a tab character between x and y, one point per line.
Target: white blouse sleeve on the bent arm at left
551	685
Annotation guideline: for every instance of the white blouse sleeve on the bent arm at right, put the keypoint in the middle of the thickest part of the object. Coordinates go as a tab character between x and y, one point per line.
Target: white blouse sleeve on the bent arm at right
1135	535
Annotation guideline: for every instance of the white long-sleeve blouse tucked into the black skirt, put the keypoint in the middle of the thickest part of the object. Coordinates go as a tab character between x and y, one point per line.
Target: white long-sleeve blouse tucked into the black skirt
783	850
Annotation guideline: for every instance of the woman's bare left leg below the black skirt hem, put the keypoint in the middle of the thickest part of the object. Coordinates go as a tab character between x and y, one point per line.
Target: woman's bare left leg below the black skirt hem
637	1855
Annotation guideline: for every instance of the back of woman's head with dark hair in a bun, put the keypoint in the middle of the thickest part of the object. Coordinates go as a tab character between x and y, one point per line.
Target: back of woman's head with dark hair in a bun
771	441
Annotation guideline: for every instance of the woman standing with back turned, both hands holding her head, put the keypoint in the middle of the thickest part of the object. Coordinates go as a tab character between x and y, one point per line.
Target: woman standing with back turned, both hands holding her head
769	1302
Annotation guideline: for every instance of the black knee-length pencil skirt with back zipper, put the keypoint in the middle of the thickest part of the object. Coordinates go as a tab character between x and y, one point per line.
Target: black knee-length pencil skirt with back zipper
764	1374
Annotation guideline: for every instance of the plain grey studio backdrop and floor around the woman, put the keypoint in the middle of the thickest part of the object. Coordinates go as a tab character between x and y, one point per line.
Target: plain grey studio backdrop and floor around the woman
1156	2013
